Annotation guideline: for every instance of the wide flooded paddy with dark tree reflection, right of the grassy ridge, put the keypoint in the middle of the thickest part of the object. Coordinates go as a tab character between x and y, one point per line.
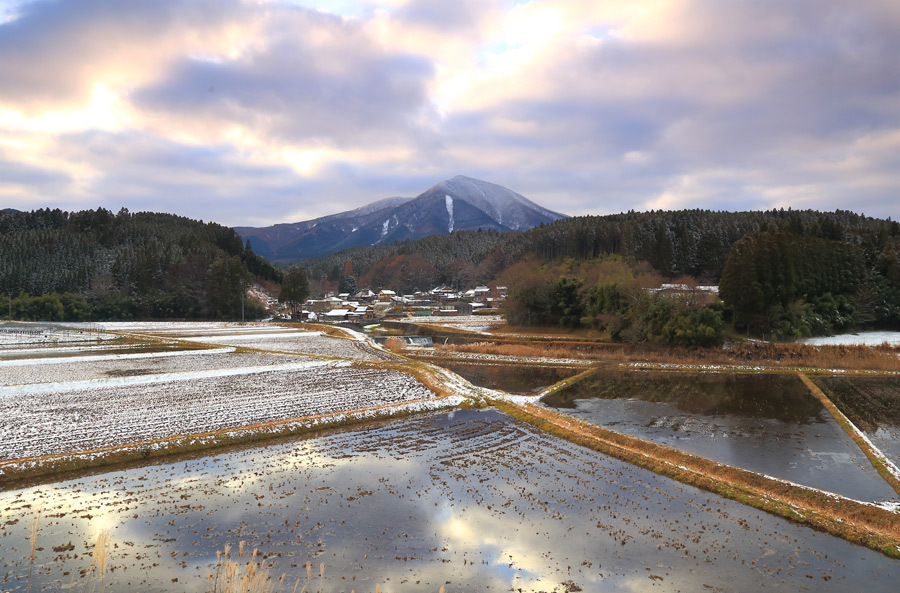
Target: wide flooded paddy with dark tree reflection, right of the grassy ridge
767	423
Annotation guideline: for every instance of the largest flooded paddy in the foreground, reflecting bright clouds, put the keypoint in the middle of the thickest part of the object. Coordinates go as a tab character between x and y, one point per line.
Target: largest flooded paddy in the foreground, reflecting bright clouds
471	501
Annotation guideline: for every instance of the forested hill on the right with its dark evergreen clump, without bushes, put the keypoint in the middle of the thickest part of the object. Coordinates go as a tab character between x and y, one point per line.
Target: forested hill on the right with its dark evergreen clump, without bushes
827	270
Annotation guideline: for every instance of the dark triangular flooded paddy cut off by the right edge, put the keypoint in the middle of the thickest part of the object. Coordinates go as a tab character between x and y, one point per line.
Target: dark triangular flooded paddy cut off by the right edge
872	404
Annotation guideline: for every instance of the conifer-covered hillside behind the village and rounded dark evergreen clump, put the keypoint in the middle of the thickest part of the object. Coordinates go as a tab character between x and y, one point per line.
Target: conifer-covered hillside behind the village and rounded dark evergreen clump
685	242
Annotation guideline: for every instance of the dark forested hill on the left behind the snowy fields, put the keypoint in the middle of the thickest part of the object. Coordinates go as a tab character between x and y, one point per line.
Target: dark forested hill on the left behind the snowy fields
98	265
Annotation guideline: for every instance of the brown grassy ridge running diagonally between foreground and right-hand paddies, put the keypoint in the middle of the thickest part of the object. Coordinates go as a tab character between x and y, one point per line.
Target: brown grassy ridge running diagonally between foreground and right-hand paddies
860	523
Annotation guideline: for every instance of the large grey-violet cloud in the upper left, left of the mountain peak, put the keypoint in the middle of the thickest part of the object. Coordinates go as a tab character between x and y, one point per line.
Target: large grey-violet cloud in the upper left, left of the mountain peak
343	94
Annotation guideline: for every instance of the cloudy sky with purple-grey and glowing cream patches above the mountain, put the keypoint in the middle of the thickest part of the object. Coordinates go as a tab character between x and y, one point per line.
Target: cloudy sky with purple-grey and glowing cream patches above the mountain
260	112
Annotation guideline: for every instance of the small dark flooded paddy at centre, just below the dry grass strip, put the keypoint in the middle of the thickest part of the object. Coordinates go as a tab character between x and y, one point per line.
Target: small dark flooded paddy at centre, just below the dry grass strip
520	378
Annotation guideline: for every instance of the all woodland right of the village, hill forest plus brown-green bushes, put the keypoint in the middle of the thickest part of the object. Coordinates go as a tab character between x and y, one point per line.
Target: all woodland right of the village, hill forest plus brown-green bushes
783	273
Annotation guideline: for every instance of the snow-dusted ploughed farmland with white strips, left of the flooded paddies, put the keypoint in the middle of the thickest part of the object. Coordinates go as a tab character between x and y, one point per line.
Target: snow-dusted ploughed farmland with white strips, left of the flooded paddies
107	398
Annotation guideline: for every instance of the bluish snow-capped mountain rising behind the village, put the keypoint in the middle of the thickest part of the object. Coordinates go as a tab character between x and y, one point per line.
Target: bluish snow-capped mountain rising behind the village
461	203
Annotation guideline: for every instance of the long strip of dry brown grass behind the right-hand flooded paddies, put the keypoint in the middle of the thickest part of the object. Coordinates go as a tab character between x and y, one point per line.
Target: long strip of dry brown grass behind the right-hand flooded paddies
857	357
